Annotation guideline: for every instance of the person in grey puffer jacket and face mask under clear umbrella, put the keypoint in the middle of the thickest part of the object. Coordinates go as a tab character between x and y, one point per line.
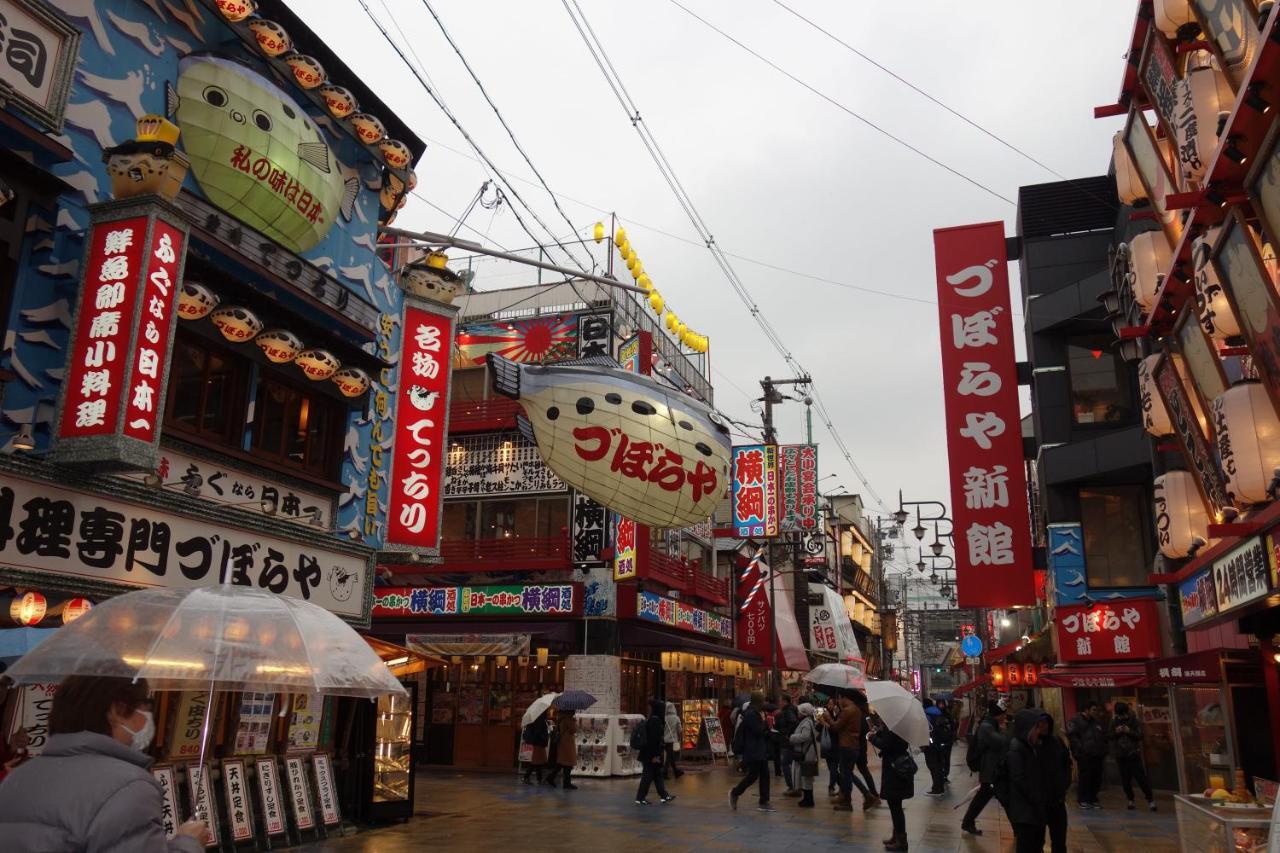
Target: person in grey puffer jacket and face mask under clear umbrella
90	790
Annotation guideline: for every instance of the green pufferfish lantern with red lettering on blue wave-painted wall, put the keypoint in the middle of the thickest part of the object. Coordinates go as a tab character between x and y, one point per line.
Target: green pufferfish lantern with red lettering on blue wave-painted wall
255	152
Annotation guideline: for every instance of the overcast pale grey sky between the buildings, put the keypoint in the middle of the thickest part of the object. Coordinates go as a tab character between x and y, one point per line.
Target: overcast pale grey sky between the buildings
780	175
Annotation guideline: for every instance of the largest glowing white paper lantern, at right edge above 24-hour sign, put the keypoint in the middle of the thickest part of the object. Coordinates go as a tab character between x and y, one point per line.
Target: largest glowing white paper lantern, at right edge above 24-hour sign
1249	440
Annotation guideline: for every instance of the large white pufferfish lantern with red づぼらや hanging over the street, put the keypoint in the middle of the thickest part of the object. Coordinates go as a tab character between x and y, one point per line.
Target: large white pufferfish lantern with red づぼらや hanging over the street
647	453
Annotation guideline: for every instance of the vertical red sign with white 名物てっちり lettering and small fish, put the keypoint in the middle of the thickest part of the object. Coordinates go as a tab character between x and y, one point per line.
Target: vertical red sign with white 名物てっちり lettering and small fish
422	425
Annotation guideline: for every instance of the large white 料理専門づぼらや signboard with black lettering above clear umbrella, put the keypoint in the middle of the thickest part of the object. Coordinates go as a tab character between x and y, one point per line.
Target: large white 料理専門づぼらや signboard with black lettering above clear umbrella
54	531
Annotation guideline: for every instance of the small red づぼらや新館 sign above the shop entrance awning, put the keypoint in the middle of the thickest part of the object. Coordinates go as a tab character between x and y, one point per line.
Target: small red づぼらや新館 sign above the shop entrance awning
1124	631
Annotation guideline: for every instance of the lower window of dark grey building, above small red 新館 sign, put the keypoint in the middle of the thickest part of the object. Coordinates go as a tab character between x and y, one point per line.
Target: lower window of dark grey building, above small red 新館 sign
1117	536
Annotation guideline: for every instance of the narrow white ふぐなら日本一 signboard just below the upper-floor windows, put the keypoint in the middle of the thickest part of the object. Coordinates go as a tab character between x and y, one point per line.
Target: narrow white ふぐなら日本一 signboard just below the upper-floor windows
248	491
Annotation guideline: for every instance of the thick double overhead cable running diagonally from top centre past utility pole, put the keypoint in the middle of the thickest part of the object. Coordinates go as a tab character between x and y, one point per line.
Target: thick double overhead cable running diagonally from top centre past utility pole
678	189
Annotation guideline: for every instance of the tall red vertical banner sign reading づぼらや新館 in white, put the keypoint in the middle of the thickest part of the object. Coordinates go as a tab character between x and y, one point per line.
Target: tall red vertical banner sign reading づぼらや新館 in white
985	445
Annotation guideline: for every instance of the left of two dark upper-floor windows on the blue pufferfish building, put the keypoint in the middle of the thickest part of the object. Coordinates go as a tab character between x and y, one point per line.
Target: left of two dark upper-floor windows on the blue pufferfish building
207	393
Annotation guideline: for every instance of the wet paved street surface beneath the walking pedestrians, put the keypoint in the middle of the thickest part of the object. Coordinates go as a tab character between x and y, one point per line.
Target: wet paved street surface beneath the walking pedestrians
495	813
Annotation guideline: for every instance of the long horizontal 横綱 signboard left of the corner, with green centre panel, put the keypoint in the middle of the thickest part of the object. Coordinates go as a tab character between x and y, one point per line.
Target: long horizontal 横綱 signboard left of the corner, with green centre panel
511	600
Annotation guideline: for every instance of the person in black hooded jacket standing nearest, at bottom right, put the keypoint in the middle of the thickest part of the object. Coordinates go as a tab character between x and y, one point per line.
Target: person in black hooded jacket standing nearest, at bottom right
1032	783
